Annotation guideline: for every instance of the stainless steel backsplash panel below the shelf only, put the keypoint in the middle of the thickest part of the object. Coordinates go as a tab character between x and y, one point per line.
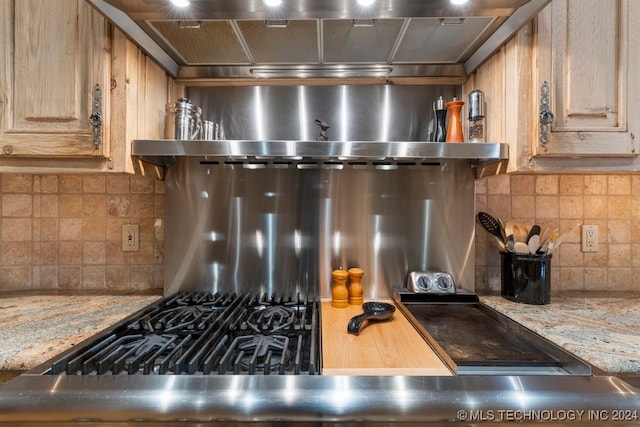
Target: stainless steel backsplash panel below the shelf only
239	226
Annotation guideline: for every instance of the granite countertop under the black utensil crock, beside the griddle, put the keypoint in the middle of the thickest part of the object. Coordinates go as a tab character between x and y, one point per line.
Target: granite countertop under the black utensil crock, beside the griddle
601	328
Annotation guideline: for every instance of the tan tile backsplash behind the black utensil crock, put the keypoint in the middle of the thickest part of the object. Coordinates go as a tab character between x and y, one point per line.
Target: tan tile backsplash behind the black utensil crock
610	201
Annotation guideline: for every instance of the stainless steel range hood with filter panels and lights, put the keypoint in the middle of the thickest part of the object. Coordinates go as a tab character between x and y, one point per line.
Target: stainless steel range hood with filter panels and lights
319	38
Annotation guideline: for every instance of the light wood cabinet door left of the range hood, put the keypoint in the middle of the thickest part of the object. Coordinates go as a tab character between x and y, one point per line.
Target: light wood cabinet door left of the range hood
53	55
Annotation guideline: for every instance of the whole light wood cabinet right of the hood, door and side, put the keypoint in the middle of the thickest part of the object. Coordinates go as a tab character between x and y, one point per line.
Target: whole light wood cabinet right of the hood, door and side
576	60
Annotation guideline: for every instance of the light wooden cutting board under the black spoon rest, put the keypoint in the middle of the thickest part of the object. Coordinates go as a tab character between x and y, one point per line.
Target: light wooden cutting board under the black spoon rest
390	347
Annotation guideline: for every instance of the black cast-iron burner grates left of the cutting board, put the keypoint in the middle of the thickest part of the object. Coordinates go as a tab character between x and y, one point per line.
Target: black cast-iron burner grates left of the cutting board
206	334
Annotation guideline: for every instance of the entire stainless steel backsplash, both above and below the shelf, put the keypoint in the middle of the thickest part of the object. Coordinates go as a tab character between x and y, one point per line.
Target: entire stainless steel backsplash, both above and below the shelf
283	226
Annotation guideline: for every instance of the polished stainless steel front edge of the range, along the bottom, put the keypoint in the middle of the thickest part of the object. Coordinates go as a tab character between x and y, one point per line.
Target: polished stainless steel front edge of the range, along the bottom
319	399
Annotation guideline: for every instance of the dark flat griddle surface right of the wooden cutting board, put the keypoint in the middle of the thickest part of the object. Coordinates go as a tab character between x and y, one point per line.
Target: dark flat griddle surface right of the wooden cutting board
471	337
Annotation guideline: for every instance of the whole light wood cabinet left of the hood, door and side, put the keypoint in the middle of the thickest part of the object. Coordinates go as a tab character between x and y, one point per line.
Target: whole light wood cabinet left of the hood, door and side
60	59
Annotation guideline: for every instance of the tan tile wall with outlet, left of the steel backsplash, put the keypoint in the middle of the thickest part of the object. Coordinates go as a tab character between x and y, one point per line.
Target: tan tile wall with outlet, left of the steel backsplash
65	232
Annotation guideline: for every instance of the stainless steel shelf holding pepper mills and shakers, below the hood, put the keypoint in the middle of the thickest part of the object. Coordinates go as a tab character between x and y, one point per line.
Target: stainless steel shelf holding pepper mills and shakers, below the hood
325	150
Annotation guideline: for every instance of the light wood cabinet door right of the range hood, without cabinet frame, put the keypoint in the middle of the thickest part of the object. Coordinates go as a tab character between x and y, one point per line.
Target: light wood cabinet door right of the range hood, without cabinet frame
587	68
